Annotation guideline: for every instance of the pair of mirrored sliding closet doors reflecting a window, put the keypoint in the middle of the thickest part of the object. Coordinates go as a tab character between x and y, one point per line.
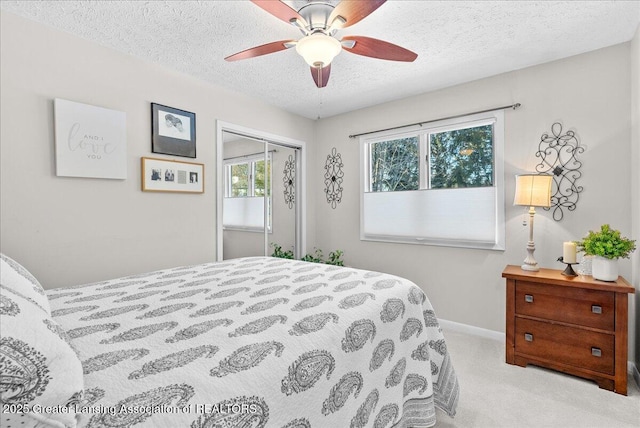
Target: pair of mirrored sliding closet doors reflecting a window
260	203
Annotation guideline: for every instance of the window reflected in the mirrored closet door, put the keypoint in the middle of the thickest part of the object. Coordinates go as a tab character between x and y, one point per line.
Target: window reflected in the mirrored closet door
247	181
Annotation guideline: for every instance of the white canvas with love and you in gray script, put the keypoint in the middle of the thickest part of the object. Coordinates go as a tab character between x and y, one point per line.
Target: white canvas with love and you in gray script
90	141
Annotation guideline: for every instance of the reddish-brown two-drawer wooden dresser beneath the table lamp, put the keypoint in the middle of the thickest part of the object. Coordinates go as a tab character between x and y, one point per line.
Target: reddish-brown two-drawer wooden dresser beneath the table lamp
576	325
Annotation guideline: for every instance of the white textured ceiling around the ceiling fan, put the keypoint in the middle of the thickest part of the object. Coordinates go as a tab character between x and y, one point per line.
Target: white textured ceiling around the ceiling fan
456	42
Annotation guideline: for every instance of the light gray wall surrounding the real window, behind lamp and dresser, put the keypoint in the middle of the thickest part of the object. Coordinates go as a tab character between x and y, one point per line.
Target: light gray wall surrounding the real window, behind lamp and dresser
589	93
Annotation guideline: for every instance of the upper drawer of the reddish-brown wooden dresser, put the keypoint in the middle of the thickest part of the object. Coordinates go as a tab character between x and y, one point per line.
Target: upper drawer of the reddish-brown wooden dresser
588	308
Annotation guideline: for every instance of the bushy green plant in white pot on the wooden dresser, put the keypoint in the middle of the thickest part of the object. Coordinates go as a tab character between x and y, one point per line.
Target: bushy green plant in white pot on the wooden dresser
606	246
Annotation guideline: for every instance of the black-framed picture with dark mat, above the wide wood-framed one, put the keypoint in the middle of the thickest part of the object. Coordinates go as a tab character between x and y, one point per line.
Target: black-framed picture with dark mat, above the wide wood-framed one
173	131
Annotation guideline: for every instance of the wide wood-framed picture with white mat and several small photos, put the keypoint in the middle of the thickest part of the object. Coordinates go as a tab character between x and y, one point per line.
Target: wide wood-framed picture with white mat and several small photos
161	175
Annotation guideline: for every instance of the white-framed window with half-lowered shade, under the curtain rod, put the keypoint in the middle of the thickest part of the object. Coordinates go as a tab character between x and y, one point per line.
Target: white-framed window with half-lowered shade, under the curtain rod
439	184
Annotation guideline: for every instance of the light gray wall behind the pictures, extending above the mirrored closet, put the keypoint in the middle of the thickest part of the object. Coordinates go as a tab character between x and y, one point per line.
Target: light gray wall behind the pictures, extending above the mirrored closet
74	230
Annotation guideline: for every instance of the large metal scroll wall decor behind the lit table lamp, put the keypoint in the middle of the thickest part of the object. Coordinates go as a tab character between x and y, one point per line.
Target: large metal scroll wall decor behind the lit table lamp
558	156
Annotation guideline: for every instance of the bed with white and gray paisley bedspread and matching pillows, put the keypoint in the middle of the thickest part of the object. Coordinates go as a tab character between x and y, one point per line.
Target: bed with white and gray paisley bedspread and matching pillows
249	342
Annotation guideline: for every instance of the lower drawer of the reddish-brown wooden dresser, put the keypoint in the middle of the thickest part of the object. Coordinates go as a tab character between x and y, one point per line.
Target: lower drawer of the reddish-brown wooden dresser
568	345
